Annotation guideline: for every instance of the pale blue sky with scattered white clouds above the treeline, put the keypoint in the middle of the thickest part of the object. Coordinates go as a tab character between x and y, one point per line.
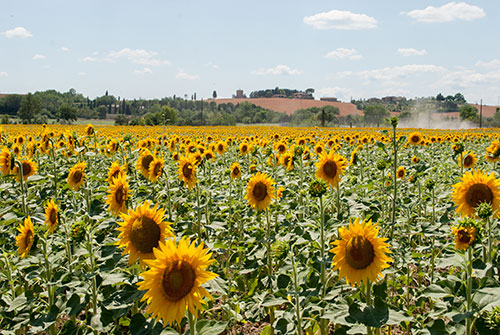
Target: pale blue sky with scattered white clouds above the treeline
153	49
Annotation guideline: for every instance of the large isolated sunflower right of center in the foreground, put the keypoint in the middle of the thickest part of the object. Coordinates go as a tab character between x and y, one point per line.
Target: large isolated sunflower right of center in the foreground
359	254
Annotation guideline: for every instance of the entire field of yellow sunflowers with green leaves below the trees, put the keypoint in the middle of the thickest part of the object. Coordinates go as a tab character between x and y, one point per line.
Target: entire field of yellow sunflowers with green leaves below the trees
248	230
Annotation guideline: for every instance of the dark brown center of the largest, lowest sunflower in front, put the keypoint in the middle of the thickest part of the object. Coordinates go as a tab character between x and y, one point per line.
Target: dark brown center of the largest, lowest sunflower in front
178	280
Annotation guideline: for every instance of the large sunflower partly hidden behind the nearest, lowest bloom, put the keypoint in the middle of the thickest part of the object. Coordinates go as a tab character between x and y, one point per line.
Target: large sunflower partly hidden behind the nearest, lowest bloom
142	230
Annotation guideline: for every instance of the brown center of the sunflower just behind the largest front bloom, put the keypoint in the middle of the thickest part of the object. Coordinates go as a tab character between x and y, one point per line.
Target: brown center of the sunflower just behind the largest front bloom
145	234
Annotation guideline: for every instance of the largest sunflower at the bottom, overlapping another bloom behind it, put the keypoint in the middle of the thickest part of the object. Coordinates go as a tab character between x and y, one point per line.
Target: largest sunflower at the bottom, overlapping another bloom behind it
174	280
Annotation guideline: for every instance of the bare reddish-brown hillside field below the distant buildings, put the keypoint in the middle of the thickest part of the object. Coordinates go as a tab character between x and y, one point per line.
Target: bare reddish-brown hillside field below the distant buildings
288	106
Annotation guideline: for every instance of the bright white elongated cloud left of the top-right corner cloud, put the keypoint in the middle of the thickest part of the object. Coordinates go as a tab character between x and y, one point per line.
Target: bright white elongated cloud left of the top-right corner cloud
343	20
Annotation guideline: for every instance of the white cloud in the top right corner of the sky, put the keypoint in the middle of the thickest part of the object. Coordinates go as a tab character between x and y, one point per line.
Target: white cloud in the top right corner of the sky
450	12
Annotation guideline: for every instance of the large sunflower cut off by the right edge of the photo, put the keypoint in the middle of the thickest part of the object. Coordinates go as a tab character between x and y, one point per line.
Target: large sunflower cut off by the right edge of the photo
475	188
